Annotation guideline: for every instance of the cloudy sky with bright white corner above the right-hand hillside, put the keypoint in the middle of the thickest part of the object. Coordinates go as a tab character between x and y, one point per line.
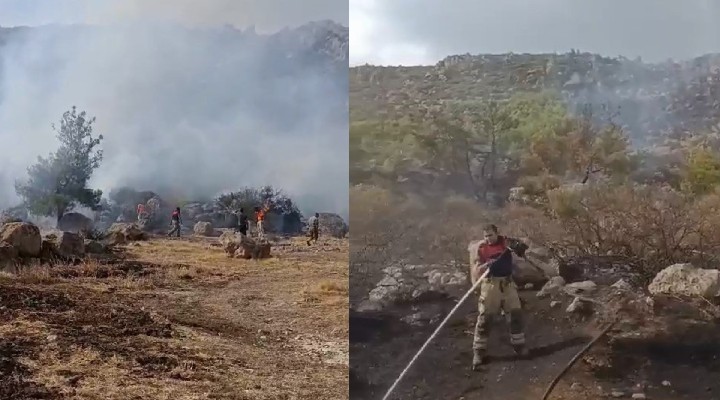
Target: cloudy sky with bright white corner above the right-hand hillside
411	32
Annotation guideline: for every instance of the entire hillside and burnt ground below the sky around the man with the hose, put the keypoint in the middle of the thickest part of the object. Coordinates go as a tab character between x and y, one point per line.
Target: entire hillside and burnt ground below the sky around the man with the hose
617	207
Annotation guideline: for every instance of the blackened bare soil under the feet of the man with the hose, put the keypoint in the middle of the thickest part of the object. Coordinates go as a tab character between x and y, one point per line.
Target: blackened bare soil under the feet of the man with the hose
657	361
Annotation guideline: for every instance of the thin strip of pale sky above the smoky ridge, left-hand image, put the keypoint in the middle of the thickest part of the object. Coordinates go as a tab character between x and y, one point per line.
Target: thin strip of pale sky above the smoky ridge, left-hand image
266	15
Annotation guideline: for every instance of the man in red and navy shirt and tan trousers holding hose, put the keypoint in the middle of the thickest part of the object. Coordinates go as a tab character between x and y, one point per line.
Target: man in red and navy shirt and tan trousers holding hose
497	292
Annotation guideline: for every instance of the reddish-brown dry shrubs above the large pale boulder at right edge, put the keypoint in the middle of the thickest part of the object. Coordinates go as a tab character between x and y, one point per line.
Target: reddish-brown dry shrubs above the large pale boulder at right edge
652	226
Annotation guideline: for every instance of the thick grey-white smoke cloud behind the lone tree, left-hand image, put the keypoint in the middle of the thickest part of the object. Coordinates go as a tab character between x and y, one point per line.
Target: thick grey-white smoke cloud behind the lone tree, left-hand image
185	111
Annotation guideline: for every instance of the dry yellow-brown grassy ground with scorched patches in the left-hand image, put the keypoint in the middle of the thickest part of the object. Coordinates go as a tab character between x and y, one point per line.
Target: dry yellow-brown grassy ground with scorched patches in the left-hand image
168	318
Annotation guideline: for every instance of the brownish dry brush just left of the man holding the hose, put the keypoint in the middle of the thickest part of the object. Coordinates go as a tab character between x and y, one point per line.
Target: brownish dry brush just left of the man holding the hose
390	229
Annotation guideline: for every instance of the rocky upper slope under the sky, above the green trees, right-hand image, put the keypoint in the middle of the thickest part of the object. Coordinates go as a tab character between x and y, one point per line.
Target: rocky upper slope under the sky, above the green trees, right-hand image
652	98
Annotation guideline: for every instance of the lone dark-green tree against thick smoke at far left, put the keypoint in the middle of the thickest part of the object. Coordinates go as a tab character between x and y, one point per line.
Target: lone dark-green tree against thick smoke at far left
58	182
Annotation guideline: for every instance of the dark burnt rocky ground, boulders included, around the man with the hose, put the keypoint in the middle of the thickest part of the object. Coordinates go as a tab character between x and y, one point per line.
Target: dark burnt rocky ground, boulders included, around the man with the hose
664	345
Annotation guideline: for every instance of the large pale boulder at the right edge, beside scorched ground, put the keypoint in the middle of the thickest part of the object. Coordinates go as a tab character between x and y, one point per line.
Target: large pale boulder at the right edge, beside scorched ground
686	280
